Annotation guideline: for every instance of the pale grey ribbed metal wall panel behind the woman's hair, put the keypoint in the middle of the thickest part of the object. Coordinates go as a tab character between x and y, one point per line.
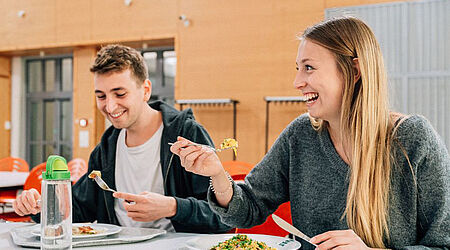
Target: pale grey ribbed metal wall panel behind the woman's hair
414	37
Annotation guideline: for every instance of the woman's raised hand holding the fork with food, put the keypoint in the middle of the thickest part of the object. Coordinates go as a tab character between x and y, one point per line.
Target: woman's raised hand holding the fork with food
200	160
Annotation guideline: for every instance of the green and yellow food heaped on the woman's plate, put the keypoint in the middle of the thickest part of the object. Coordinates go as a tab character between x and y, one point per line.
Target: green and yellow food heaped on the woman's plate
241	241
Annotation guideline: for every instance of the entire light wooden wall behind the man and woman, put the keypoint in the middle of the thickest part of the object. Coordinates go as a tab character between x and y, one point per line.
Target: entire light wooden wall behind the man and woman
243	50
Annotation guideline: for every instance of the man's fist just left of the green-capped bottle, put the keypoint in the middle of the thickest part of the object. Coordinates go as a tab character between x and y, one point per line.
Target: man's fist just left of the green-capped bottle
27	202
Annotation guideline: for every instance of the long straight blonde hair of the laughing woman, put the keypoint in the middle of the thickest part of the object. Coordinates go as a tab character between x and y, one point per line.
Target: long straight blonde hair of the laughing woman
364	121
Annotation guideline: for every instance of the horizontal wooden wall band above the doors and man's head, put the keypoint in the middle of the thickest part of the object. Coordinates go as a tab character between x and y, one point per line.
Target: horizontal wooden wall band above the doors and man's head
53	23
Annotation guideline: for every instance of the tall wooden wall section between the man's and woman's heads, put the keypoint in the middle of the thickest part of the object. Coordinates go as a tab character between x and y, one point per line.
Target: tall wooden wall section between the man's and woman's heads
249	52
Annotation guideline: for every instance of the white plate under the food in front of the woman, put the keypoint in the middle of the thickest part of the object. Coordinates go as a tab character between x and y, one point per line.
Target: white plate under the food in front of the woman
207	241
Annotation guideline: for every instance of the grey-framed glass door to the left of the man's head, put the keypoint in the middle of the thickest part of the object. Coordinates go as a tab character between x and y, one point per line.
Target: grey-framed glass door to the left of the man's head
49	108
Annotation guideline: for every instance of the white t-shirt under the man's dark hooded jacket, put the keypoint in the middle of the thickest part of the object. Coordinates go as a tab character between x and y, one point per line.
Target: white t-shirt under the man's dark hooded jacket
138	169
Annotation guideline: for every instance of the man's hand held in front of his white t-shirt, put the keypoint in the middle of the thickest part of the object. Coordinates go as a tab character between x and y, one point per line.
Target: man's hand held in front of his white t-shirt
148	206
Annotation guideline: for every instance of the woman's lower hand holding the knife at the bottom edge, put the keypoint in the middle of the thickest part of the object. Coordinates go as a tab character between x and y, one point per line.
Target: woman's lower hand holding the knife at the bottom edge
339	239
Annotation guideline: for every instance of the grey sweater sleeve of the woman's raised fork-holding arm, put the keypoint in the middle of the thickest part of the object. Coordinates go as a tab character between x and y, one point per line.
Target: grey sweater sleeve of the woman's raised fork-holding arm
265	188
